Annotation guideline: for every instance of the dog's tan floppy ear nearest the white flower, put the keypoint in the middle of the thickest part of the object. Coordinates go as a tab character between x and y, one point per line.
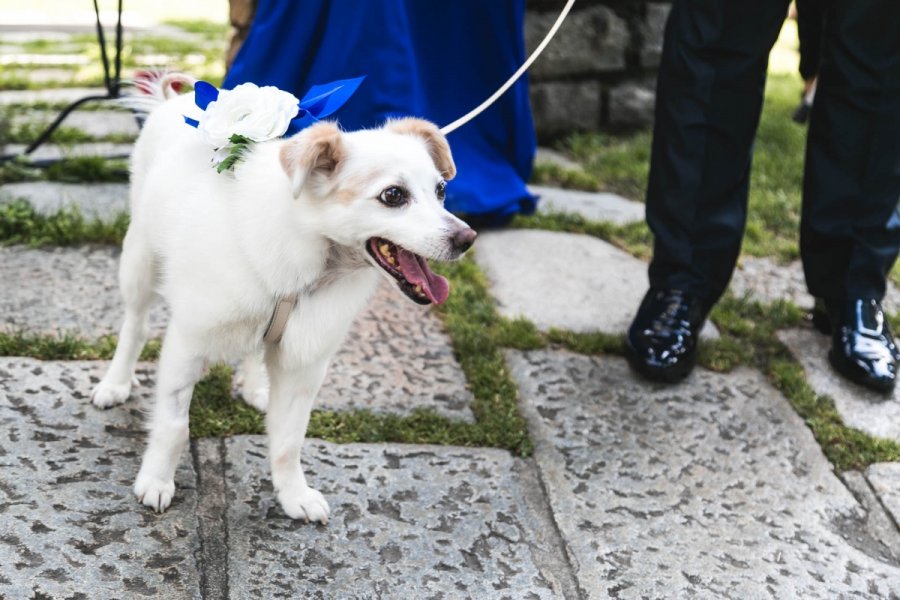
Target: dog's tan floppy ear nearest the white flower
316	151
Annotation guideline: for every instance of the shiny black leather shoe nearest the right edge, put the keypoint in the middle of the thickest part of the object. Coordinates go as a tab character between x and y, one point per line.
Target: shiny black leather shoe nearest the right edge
862	347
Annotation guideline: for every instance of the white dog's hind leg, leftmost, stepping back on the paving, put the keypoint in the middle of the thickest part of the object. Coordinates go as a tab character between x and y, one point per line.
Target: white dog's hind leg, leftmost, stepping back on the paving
137	276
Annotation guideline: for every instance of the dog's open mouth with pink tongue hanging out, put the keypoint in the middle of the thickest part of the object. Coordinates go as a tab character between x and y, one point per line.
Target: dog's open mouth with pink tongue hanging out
411	271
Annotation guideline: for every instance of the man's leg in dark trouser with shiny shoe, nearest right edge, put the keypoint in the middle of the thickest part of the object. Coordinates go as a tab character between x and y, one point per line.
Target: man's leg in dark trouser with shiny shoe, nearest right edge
850	230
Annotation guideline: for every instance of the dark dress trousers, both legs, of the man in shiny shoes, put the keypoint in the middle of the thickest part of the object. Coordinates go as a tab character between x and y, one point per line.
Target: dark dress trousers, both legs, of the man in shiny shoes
709	97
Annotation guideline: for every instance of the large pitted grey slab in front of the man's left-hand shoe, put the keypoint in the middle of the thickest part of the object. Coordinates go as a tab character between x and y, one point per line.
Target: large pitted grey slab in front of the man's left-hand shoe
713	488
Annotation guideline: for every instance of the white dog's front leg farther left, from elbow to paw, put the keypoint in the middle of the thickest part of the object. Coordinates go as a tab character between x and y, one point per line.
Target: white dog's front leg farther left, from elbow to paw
180	367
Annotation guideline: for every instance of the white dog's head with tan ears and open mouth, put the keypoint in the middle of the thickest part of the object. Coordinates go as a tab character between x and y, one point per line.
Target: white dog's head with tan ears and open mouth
382	191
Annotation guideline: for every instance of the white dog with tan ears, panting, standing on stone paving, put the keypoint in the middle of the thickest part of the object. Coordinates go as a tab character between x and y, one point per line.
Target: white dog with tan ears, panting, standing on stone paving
320	217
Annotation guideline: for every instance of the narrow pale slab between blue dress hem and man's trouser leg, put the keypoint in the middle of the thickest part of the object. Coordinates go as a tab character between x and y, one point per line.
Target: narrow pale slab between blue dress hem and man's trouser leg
594	206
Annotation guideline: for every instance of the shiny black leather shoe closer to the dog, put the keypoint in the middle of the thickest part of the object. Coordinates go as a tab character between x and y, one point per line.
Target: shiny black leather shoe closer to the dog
662	341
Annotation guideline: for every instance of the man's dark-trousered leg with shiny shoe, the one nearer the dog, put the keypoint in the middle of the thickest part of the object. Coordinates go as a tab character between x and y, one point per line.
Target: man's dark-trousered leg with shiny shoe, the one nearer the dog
708	102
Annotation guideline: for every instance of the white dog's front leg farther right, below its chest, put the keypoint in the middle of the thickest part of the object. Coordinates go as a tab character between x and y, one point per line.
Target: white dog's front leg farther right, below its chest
291	398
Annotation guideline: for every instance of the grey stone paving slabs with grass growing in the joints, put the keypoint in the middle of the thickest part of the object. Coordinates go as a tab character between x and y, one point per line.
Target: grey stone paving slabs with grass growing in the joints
713	488
